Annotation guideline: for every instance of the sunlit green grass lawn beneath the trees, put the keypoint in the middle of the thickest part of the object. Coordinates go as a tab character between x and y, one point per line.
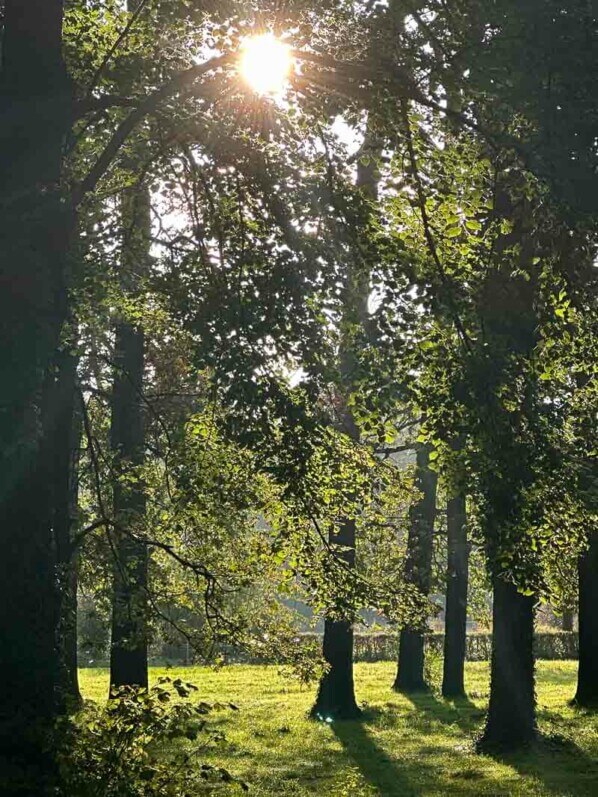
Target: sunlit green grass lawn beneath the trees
420	745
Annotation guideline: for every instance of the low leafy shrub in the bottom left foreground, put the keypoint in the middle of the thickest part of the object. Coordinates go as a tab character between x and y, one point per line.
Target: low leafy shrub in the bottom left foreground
138	745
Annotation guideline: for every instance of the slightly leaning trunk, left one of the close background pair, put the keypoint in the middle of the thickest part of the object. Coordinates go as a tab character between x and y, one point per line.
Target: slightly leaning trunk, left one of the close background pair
418	571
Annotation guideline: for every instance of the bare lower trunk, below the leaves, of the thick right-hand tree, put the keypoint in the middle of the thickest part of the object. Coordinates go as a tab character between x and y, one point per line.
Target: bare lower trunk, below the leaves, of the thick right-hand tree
511	719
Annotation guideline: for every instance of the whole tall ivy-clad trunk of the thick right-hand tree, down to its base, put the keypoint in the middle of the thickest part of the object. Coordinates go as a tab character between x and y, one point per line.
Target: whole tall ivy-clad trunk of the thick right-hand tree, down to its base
508	313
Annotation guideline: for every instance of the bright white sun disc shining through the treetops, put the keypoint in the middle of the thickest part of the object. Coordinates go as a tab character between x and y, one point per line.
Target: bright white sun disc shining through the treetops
265	63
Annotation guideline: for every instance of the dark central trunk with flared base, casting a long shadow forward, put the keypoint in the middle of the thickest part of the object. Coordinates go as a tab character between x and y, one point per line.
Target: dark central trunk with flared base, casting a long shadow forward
336	693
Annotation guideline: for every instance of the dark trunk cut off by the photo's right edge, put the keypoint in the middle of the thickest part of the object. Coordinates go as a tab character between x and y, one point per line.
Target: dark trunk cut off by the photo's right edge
587	674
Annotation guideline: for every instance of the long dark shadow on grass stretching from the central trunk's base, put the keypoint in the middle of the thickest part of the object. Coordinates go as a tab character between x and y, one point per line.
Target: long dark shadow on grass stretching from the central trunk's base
376	767
